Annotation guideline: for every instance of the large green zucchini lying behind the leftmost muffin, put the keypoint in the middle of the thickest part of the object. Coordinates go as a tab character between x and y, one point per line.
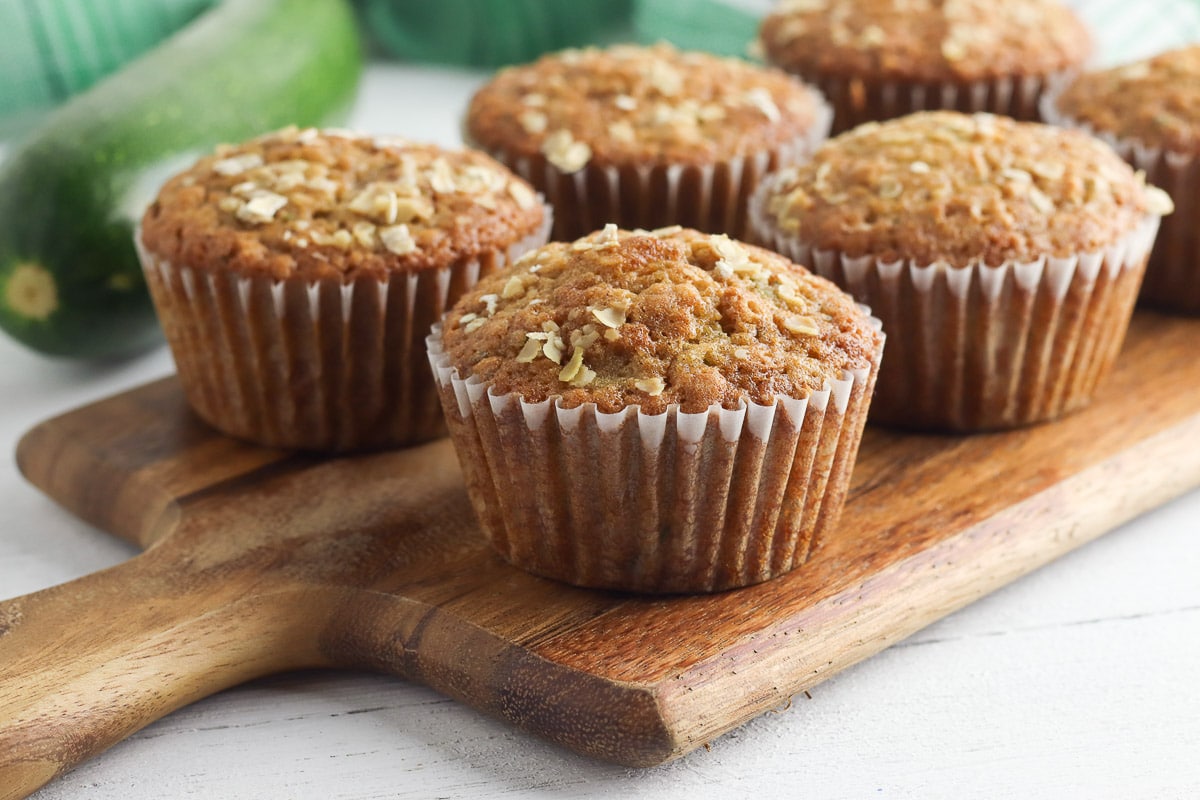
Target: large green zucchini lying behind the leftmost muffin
73	195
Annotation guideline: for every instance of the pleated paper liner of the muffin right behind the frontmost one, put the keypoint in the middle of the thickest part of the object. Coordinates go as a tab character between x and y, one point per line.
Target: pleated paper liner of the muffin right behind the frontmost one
982	348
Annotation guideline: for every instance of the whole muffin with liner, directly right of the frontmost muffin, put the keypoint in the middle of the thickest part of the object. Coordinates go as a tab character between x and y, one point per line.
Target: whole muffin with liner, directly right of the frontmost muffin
1003	257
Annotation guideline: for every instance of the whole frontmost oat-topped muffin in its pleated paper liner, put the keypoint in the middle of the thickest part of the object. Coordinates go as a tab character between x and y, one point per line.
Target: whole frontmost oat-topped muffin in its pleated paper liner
664	412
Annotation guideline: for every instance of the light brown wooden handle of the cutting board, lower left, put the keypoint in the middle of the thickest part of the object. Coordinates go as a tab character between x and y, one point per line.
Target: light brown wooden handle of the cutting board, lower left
92	661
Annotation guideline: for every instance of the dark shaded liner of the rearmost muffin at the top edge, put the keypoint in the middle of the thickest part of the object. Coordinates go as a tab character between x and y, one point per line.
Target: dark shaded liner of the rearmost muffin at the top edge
861	100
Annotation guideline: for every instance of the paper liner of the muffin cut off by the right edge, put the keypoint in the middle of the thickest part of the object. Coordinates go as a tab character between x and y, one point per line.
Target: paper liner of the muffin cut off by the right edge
1173	278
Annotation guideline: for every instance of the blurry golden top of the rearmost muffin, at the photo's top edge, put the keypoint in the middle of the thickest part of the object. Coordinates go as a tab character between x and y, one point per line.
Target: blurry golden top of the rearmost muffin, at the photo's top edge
953	41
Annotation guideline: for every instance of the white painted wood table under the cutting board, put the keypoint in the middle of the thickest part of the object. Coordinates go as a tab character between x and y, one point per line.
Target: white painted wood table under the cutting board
1082	681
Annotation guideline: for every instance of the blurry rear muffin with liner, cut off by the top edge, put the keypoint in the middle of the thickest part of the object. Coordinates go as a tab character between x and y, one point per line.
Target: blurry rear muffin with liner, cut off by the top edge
879	59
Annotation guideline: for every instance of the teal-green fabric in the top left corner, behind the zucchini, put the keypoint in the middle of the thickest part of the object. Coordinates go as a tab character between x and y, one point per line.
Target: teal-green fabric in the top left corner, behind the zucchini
51	50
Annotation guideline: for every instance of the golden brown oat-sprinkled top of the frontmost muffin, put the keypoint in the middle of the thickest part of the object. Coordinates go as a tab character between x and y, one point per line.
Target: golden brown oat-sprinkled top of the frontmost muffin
653	318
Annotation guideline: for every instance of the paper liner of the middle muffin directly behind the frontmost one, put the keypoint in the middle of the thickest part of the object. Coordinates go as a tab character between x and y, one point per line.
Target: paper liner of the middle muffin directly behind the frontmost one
709	197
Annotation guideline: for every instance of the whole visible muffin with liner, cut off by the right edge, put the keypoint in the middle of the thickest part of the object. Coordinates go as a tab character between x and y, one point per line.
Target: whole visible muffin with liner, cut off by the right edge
1150	112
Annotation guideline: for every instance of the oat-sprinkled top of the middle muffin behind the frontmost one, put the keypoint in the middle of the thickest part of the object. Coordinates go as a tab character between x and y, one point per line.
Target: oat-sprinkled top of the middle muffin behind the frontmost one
631	105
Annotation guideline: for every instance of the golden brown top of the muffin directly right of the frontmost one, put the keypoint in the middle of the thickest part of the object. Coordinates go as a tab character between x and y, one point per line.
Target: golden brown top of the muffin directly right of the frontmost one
944	187
